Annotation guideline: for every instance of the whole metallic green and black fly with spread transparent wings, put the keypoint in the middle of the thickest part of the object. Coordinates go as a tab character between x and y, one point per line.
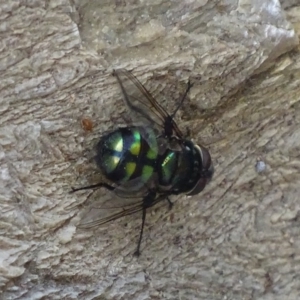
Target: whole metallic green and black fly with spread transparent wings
147	161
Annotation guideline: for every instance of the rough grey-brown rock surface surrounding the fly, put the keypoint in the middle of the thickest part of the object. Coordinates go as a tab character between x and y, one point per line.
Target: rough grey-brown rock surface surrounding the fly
239	239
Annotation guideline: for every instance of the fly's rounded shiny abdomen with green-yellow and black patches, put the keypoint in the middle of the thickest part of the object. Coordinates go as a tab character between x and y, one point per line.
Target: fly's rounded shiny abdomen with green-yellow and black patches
127	153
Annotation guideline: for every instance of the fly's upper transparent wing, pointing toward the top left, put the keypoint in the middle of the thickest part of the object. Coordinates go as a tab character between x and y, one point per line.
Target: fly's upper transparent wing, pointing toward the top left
142	104
